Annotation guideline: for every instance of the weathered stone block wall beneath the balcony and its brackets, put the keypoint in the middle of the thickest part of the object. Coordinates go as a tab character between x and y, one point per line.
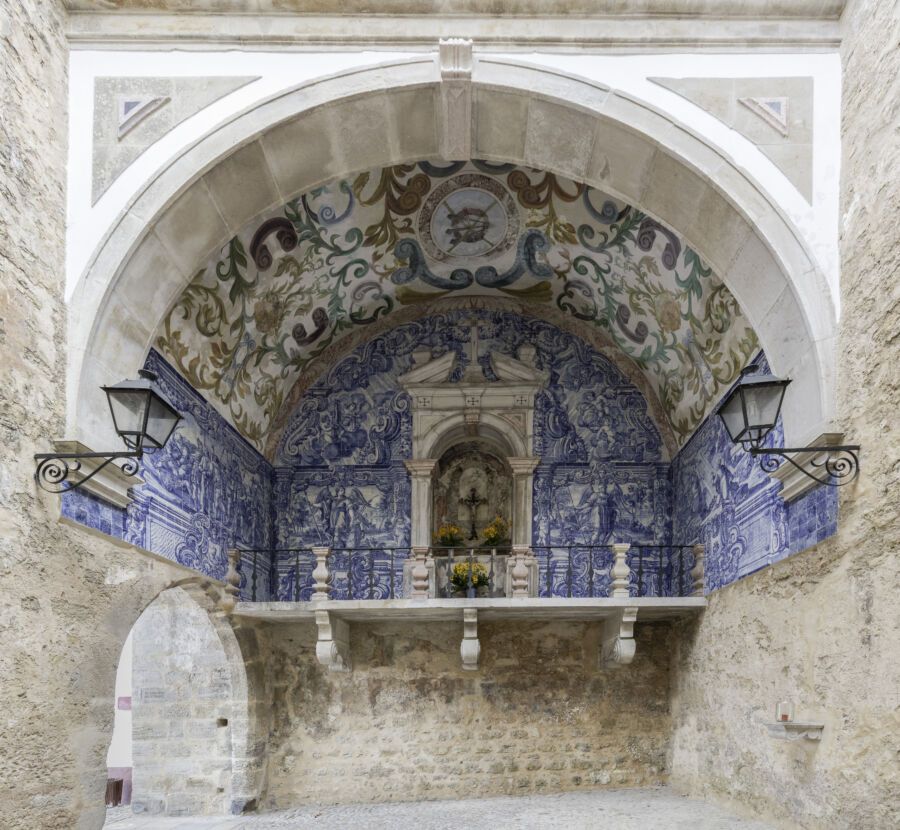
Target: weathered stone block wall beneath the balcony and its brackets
408	723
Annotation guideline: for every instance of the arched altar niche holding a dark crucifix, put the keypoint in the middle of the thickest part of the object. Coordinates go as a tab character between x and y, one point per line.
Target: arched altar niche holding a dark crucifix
472	484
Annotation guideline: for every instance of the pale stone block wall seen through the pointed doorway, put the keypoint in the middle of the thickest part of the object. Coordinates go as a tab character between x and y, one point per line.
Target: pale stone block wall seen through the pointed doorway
181	711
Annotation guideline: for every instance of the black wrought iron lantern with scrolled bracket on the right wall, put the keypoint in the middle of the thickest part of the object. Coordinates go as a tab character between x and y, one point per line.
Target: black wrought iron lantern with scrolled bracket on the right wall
750	412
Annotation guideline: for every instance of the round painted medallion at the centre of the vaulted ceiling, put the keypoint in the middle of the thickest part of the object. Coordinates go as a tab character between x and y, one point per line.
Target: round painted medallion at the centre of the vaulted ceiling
466	216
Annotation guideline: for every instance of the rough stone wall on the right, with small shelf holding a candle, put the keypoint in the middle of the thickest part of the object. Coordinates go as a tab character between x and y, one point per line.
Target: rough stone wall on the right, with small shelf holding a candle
823	627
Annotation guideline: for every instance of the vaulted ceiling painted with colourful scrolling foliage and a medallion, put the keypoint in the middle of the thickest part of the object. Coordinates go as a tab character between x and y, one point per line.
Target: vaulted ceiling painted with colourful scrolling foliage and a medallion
350	253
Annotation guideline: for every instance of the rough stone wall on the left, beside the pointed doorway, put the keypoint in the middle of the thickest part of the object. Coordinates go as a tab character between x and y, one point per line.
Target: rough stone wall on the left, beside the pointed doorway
69	595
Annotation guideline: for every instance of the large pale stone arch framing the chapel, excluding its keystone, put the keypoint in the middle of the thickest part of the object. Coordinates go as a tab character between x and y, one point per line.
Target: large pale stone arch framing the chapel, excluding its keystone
521	114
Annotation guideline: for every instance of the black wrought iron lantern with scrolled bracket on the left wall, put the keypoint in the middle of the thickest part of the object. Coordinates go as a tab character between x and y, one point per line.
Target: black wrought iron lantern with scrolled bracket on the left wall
143	419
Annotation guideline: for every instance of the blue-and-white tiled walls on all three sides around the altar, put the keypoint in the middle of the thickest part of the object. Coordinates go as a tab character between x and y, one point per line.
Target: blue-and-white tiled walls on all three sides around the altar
339	479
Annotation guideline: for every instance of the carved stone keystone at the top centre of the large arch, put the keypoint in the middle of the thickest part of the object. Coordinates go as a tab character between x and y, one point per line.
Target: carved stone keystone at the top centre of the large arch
456	99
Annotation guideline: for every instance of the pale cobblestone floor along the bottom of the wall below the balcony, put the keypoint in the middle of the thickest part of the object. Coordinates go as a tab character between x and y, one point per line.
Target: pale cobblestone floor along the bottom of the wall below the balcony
627	809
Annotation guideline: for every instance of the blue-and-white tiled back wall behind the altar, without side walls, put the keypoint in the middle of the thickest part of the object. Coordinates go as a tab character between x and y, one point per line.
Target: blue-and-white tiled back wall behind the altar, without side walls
340	479
